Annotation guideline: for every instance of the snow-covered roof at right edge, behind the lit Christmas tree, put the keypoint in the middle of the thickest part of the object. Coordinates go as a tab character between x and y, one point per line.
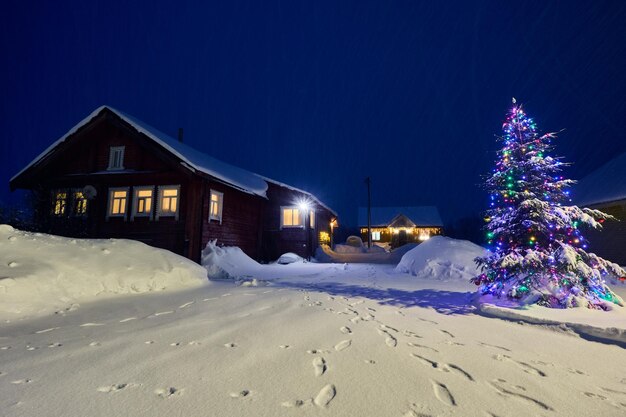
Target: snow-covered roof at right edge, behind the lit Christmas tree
607	183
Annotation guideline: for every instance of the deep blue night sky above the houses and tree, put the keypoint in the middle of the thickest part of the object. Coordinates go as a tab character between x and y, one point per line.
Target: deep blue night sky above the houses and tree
322	94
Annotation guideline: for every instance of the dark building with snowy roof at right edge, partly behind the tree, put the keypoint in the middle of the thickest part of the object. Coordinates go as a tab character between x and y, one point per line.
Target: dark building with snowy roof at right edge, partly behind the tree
605	189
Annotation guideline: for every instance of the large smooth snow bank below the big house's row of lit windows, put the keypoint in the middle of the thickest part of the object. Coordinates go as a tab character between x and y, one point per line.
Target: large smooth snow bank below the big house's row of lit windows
42	273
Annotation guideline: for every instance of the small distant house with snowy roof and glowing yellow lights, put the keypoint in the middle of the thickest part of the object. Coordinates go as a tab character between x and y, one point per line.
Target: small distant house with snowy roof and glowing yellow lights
400	225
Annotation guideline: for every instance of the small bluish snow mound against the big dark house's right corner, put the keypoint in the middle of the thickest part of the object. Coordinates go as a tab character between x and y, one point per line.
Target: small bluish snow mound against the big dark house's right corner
228	262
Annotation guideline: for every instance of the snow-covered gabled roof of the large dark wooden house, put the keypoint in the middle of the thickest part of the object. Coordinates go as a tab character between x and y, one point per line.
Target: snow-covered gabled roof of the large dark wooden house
239	178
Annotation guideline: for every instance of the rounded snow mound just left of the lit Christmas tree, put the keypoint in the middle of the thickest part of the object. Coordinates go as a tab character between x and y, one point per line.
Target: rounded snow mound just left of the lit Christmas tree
442	258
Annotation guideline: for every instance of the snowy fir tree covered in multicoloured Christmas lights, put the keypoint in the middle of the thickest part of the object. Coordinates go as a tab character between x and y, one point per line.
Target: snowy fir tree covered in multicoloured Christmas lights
538	254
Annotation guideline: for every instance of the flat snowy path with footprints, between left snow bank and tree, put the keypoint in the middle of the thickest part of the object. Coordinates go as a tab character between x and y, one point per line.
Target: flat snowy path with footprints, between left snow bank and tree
307	346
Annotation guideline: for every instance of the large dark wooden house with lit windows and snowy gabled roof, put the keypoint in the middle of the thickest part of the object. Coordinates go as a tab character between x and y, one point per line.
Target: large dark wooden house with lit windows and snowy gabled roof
113	176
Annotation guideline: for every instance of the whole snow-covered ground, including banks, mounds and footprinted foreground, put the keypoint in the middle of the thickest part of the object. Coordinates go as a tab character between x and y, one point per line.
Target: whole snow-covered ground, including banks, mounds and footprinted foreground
303	339
